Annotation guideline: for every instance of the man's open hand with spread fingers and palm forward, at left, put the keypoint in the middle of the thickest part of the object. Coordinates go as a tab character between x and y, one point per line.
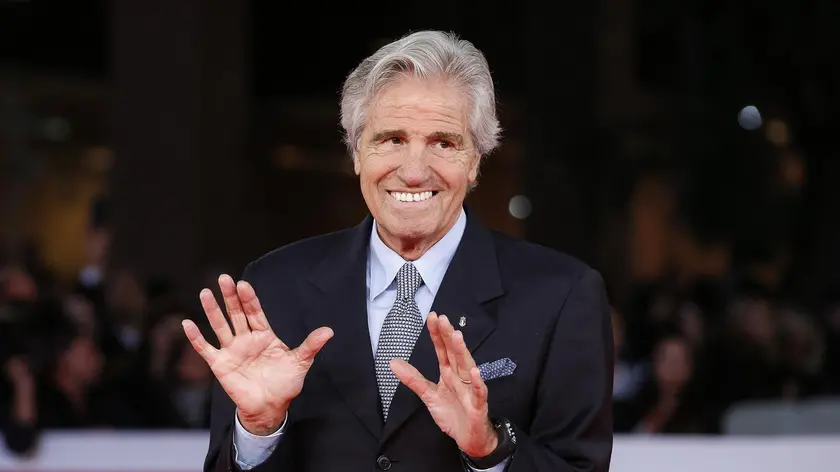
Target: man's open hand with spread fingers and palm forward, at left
256	369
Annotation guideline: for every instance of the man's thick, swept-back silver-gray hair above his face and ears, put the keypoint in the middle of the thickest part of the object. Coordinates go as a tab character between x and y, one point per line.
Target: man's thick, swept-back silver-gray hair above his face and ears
427	55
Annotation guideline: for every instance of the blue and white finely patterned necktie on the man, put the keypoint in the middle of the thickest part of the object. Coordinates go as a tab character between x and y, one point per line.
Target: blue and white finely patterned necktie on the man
399	333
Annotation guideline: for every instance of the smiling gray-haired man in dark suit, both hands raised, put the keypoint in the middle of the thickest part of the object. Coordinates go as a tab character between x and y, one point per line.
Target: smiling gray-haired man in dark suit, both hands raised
513	368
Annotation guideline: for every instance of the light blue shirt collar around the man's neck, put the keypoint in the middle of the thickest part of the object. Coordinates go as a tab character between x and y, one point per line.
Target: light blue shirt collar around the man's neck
384	262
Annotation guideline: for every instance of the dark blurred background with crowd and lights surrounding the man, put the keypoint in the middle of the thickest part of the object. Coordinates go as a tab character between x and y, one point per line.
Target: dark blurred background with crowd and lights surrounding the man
686	149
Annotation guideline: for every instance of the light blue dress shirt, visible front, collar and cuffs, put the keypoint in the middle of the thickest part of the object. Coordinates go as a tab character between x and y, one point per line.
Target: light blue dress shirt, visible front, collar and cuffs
382	267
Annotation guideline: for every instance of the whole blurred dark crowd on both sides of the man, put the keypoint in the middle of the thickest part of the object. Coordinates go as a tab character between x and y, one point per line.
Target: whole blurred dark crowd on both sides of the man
109	352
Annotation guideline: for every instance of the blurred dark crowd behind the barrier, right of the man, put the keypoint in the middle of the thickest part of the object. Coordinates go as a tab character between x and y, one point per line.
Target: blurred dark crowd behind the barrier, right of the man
684	359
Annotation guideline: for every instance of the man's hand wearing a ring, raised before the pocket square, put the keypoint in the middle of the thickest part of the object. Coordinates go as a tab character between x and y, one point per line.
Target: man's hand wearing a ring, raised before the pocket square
458	401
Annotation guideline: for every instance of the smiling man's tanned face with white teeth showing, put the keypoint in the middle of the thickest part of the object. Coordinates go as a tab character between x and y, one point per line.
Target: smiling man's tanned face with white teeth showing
416	161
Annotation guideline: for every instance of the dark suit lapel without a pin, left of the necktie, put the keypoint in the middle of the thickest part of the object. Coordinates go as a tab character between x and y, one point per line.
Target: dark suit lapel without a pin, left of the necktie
337	298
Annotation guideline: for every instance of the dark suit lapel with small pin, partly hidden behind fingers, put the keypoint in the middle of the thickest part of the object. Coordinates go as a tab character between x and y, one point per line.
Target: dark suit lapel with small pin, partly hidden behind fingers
471	280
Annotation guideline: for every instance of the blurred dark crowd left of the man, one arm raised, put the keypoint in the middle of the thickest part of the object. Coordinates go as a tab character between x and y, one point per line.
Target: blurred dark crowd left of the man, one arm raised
109	352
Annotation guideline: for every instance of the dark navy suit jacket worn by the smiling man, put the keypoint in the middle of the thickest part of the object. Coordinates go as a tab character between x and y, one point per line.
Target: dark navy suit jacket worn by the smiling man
546	311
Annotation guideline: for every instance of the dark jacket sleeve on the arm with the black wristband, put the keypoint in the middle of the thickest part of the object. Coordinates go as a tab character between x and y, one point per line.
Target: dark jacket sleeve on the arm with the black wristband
572	429
